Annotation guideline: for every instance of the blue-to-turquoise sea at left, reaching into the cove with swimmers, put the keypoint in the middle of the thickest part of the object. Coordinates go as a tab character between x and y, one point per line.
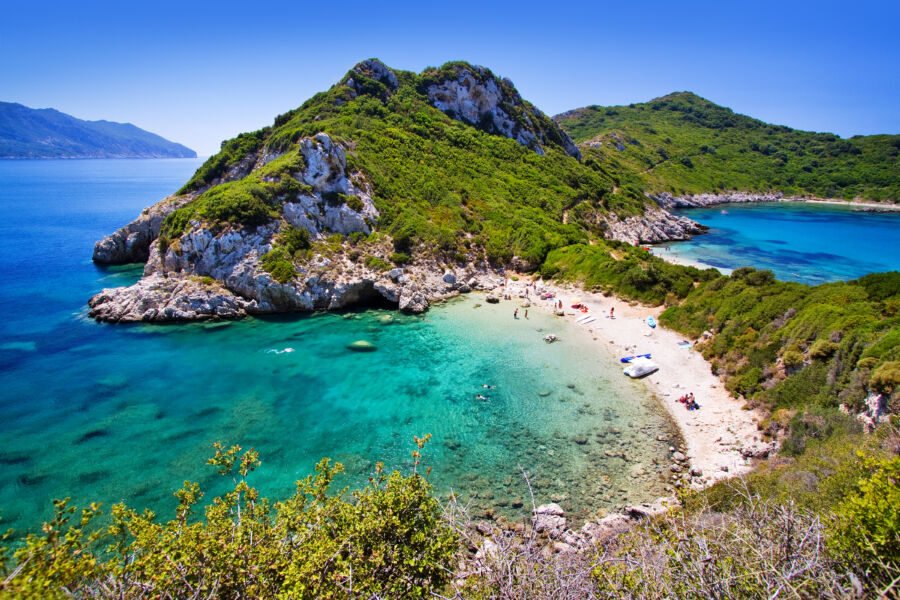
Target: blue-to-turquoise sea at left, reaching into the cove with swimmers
126	413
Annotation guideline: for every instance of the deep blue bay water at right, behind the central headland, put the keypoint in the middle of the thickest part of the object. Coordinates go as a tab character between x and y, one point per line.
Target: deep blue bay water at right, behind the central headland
809	243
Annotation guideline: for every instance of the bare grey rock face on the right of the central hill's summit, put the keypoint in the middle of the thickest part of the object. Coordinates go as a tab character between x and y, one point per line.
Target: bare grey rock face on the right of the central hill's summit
477	97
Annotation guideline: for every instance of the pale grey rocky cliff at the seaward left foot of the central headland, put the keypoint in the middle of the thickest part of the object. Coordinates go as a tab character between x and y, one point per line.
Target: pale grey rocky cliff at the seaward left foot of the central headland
218	271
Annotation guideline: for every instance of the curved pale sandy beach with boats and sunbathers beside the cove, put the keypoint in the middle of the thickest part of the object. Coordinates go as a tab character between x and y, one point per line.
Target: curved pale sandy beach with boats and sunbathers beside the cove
714	434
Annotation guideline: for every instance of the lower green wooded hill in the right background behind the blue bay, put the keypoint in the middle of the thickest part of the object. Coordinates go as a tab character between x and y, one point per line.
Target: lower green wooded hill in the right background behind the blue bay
682	143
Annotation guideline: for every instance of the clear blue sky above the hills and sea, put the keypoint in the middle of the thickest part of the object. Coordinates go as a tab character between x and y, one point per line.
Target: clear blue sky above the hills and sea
201	72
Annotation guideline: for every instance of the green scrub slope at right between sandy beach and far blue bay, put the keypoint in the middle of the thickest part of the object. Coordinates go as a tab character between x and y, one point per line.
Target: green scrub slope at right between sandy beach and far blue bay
789	346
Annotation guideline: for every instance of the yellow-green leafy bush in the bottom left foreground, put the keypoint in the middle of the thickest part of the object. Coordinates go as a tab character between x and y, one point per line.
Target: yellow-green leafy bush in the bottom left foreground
387	539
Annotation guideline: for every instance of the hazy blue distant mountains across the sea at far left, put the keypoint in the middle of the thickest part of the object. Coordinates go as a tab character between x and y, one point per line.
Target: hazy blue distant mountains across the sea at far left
47	133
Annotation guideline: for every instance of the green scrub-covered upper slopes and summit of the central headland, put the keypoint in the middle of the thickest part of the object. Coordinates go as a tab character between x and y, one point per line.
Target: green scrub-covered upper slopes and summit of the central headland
499	181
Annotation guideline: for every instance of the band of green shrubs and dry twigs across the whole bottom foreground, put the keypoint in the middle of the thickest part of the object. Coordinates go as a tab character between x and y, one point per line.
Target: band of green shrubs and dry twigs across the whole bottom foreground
393	539
